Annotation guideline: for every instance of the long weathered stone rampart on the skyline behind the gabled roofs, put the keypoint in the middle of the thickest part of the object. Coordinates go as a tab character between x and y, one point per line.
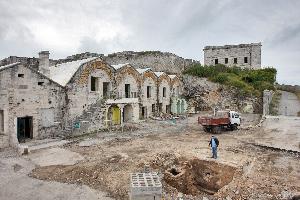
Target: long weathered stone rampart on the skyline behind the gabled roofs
158	61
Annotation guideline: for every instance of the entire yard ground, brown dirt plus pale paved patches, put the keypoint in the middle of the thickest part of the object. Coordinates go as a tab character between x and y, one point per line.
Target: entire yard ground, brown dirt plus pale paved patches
254	162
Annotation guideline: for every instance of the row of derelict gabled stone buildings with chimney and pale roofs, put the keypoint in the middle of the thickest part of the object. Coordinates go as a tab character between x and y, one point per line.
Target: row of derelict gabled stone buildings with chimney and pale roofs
80	96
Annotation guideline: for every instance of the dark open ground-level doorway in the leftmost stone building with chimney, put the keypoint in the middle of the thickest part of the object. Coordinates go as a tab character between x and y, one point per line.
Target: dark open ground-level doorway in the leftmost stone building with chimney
24	128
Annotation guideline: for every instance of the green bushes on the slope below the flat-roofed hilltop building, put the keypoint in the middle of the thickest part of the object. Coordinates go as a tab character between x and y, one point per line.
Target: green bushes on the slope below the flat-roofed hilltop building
249	82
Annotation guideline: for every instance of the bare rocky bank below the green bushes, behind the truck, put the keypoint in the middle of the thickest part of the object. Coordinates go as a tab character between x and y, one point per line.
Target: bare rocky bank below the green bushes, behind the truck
202	95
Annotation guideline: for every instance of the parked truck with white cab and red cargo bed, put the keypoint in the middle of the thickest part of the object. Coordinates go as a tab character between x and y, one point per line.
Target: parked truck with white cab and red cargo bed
222	120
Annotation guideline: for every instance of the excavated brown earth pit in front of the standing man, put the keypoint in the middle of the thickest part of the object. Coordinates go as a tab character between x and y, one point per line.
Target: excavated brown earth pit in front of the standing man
194	177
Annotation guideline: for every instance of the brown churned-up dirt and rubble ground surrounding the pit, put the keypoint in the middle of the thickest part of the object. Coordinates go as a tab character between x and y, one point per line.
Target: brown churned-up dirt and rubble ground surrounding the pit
180	153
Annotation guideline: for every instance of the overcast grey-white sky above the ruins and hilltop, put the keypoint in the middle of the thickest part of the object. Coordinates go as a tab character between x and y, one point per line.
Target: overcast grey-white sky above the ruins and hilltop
66	27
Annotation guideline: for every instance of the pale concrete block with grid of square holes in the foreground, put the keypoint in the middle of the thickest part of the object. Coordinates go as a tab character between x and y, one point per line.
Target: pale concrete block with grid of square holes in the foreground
145	186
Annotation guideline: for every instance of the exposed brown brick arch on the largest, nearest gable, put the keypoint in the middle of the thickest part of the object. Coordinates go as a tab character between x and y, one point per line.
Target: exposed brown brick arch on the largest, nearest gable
83	79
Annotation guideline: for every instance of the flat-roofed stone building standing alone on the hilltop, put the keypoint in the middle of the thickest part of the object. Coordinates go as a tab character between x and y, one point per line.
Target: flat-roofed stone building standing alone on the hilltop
242	55
